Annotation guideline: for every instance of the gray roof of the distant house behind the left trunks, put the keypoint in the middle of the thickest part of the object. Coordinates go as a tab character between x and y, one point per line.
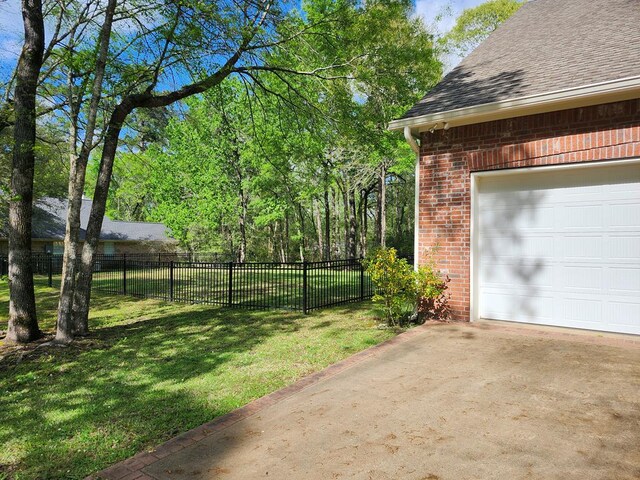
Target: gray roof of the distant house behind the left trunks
49	220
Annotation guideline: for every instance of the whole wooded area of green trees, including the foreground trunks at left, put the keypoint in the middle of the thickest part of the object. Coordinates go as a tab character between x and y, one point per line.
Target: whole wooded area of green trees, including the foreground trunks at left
250	127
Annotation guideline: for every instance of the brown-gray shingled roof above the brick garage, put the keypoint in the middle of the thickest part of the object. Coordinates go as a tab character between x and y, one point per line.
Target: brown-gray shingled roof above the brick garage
547	45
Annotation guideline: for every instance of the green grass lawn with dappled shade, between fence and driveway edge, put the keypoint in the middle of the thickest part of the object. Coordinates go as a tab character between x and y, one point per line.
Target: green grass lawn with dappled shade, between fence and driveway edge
151	370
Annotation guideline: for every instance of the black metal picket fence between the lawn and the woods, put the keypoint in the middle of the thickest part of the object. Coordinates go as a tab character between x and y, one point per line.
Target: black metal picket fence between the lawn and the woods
303	286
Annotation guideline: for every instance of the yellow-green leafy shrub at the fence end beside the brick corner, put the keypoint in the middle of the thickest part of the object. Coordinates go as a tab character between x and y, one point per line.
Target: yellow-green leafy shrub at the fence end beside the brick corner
394	283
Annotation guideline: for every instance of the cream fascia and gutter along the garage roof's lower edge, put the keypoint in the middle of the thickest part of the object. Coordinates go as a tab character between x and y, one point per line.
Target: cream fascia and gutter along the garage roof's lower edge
597	93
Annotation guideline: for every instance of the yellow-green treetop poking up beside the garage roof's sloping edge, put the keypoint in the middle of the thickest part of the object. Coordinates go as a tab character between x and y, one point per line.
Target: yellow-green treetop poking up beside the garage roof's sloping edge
475	24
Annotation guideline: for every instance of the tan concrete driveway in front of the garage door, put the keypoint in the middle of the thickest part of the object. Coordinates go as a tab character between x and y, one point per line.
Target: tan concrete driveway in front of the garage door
483	401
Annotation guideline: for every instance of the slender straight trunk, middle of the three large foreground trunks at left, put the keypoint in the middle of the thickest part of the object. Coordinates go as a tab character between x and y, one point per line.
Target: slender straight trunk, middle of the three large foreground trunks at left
66	328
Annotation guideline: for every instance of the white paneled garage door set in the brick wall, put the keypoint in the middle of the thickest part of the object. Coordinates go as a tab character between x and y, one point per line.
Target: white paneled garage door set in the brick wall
561	247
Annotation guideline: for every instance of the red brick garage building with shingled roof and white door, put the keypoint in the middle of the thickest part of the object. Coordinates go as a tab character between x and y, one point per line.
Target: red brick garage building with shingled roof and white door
529	169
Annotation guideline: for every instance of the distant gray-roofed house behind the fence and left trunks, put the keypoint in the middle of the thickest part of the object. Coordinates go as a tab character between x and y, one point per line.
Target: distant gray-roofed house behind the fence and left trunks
116	237
